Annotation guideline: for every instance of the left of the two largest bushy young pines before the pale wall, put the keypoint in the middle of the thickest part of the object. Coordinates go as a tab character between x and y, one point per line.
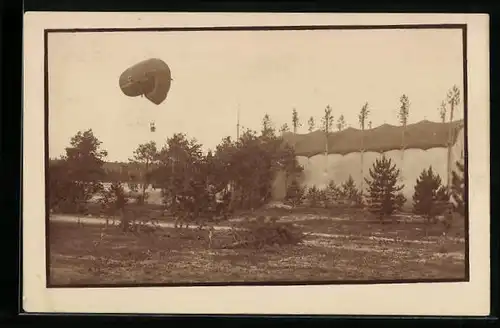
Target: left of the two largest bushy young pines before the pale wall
384	195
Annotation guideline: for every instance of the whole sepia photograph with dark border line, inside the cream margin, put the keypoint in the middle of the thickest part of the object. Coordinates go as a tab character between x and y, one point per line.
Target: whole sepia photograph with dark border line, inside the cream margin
256	155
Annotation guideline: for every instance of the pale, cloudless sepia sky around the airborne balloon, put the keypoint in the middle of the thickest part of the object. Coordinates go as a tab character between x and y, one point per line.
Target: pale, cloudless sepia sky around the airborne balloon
260	72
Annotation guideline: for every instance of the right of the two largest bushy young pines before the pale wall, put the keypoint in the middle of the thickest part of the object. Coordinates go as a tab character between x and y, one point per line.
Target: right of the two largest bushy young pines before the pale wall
430	197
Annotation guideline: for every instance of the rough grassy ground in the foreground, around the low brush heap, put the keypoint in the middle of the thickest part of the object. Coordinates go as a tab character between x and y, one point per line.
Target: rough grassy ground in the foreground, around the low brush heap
335	248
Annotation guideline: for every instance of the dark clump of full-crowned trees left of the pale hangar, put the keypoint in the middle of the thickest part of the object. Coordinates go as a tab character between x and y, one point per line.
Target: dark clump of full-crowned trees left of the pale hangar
242	169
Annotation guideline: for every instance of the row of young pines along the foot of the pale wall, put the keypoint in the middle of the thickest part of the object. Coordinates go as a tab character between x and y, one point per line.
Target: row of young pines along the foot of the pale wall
383	192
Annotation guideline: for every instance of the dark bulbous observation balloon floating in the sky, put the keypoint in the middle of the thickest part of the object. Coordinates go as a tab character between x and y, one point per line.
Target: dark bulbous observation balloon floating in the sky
151	78
